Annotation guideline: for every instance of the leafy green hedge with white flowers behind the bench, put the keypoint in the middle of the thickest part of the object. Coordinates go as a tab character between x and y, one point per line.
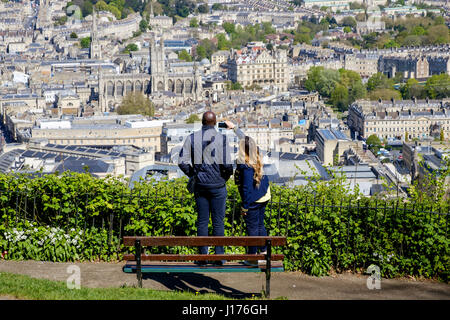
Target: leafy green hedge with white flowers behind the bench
328	226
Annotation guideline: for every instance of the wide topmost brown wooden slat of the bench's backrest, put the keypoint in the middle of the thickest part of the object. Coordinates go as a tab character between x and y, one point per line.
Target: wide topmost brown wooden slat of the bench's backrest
204	241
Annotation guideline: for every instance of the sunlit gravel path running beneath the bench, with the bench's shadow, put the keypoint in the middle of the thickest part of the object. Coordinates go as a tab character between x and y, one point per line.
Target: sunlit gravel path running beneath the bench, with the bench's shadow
292	285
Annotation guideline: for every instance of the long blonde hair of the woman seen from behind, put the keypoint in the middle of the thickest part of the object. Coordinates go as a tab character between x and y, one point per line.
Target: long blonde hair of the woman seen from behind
249	154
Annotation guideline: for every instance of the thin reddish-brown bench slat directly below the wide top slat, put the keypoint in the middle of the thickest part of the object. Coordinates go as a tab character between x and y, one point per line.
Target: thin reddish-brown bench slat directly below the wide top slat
202	257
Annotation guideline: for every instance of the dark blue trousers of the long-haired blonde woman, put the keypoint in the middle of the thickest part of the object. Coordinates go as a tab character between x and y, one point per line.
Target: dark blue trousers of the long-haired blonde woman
254	221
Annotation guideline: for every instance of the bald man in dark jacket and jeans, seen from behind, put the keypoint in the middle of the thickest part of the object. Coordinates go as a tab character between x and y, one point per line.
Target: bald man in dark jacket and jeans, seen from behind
205	158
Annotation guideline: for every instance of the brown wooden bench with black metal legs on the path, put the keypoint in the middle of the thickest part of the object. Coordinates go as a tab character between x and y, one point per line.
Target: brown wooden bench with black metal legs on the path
171	262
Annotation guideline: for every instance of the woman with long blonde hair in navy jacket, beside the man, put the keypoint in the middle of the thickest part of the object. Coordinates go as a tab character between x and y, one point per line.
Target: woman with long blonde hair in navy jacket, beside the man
254	190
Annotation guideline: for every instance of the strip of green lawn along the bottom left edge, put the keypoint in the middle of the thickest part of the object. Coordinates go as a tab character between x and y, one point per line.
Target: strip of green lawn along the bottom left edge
25	287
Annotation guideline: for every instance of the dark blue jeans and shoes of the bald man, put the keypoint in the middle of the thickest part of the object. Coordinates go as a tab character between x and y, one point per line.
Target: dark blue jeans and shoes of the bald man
210	201
